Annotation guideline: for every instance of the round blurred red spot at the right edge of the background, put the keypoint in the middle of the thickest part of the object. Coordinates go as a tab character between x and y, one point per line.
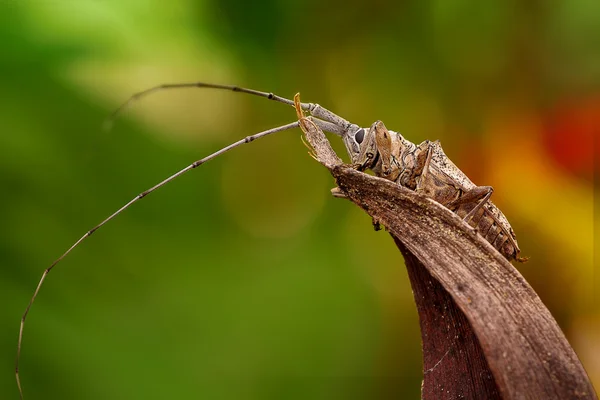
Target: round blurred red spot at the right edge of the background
570	132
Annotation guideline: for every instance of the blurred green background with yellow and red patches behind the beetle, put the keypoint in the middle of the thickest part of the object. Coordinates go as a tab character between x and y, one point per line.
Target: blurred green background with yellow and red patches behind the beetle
245	279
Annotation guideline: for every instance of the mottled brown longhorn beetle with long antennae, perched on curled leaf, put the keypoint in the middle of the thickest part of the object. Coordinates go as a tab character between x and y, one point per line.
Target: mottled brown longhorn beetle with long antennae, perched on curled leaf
424	168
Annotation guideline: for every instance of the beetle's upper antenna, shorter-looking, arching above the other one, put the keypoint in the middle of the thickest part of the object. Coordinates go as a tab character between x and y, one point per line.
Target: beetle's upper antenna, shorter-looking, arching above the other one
108	123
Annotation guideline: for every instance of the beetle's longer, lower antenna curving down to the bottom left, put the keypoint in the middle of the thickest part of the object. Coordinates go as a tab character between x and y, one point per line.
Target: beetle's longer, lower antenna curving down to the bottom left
193	165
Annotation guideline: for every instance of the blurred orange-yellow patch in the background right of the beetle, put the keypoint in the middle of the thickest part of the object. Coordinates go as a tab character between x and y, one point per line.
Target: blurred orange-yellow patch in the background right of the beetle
558	207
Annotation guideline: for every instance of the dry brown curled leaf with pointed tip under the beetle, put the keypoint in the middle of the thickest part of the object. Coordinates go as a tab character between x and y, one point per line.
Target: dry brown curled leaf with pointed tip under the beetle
486	334
